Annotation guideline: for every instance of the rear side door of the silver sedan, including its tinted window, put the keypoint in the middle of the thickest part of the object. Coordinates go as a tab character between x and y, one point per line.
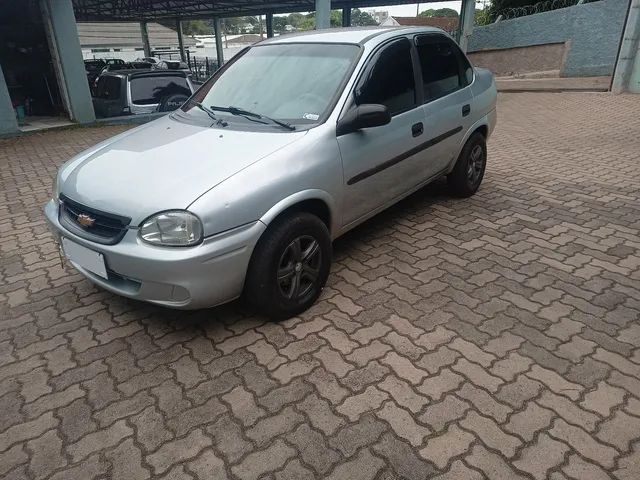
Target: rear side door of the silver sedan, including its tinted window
446	79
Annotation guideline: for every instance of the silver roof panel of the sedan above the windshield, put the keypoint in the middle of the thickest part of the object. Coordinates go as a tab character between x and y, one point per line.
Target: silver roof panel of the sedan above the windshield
357	35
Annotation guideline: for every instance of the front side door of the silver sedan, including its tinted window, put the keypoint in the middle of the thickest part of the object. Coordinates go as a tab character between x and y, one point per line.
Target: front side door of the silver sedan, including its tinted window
381	163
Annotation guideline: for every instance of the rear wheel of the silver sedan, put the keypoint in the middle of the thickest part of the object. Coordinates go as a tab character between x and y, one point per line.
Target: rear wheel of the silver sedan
467	174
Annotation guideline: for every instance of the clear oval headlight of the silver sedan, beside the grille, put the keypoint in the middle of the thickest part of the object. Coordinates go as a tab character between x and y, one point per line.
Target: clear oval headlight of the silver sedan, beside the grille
177	228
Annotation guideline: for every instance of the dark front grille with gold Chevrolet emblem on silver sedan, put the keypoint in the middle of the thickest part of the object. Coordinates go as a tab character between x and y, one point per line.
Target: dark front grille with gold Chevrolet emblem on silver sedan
107	228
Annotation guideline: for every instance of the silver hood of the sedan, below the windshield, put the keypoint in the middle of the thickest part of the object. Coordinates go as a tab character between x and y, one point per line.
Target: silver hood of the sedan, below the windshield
164	165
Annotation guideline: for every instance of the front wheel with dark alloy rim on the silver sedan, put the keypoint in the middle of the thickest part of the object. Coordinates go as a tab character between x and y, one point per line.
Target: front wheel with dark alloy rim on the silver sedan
289	266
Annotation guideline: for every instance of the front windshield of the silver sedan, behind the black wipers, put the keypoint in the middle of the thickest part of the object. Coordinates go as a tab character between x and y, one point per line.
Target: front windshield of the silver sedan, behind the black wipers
295	83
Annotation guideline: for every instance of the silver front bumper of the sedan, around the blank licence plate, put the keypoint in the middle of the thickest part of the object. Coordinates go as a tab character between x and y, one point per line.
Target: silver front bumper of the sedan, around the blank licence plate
189	278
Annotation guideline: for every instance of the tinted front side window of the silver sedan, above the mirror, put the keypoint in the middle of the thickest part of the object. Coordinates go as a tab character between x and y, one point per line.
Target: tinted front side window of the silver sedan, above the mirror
390	80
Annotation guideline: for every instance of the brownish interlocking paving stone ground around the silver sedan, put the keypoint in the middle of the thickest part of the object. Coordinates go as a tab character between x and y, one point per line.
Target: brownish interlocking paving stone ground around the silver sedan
493	337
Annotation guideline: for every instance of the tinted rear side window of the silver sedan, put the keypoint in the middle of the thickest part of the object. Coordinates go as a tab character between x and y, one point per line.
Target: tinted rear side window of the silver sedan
444	68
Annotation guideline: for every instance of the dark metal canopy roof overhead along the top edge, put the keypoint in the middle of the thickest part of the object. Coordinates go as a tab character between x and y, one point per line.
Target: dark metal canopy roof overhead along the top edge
144	10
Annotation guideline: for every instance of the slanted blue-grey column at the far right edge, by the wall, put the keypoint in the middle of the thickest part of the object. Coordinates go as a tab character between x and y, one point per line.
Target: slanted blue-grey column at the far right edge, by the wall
626	77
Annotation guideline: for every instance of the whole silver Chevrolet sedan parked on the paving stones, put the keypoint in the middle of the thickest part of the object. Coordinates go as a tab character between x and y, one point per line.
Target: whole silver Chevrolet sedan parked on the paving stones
292	143
